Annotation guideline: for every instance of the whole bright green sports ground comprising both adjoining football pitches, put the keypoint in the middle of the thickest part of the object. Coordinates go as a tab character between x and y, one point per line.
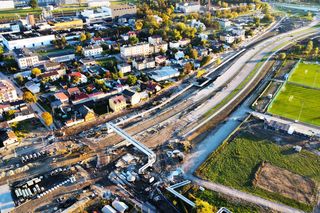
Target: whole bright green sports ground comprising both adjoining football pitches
300	102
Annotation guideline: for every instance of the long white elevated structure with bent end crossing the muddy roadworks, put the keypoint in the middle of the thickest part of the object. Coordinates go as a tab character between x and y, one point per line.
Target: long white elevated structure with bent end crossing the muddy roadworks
150	154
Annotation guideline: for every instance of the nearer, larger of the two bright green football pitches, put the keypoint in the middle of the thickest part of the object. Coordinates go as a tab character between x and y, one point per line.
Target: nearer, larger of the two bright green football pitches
293	100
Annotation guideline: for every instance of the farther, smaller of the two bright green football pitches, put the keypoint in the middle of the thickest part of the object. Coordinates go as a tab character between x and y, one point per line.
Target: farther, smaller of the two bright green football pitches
306	74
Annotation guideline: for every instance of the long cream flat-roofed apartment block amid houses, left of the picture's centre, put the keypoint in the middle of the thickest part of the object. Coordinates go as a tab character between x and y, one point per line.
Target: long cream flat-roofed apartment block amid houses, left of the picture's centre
141	49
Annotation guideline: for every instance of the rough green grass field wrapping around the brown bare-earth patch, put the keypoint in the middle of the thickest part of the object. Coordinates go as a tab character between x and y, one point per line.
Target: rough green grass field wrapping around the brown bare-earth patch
235	163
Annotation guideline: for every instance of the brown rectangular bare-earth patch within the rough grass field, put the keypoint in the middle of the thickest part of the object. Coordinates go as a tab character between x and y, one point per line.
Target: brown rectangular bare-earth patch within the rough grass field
286	183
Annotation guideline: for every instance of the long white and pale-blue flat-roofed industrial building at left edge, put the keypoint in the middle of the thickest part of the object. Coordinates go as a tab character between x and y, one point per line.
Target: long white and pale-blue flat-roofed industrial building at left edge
26	40
